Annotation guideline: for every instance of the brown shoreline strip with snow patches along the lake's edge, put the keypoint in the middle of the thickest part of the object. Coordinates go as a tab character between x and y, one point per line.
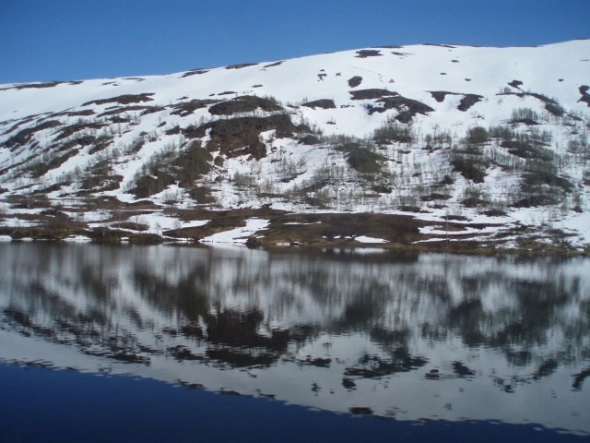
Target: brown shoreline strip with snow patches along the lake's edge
277	230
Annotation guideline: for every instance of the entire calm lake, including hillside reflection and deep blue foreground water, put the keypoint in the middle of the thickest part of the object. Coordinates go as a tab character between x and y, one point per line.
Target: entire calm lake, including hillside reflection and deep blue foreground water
140	344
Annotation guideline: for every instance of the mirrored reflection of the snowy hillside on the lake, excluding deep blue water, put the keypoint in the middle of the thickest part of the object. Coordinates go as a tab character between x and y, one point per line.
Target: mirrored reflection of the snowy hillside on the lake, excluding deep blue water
439	336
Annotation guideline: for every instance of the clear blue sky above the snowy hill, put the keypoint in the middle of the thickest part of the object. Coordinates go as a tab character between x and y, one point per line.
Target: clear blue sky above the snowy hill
79	39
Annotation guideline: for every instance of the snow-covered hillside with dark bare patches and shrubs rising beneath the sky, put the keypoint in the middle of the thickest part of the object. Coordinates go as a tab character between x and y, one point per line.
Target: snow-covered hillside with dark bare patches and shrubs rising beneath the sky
493	139
